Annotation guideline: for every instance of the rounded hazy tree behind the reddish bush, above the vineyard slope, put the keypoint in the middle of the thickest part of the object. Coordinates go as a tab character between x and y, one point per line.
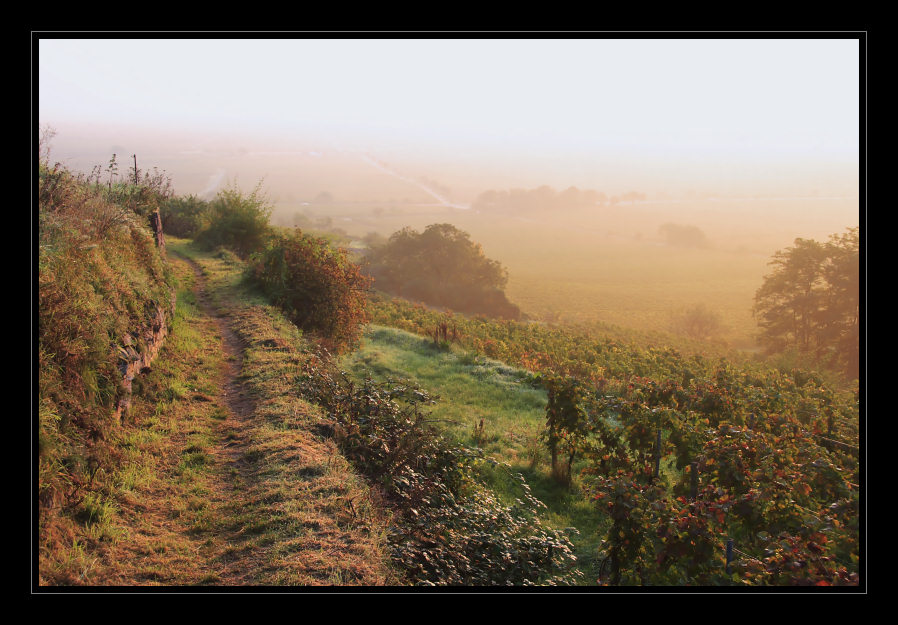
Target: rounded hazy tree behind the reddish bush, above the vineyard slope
442	267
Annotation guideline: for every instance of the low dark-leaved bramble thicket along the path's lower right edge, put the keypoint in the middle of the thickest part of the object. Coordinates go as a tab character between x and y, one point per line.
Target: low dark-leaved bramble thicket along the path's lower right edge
448	528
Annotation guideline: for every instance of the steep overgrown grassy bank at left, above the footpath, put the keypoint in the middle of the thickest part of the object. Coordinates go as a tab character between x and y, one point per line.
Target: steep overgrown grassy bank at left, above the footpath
102	284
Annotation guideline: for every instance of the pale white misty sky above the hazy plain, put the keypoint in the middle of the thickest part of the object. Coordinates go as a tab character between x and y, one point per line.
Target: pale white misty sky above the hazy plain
654	97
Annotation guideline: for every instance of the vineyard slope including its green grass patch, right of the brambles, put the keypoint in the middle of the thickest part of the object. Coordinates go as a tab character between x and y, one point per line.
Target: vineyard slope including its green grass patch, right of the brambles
747	451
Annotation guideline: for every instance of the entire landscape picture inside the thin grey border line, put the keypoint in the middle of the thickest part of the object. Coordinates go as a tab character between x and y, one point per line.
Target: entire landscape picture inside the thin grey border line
451	310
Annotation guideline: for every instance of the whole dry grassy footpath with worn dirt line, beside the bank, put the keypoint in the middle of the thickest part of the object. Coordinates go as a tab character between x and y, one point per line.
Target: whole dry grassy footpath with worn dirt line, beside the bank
222	479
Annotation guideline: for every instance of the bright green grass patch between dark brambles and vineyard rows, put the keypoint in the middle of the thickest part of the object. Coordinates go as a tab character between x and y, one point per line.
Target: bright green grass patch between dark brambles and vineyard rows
512	407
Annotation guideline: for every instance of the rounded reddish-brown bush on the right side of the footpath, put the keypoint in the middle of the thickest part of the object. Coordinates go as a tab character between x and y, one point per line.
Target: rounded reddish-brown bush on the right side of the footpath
317	286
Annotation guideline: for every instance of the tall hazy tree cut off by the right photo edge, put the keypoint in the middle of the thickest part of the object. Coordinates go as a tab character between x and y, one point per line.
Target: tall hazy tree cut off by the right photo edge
810	303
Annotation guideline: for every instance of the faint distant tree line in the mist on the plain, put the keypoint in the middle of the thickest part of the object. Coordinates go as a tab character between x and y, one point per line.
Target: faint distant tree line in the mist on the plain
546	198
